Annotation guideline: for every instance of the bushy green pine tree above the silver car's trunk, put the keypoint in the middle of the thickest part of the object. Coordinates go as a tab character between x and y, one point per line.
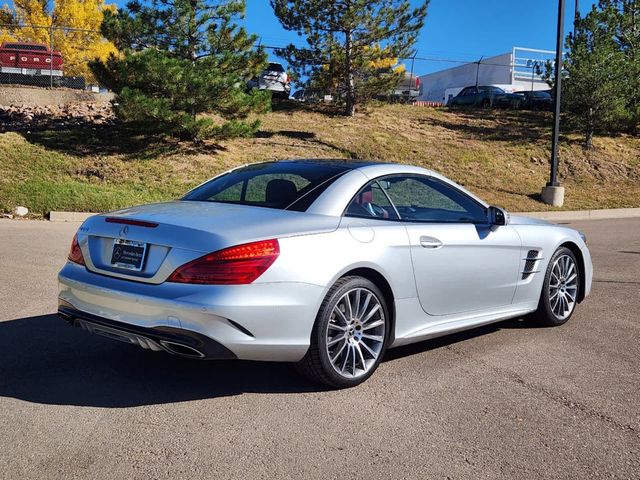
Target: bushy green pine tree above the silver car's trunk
181	59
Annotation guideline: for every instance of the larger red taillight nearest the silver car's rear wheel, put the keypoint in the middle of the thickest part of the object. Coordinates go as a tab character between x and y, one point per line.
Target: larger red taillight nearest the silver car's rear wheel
238	265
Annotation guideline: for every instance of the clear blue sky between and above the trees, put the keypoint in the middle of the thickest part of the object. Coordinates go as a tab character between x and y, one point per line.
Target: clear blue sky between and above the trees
455	29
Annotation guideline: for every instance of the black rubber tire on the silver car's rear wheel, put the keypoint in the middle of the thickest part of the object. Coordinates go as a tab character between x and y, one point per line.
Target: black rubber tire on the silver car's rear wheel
316	365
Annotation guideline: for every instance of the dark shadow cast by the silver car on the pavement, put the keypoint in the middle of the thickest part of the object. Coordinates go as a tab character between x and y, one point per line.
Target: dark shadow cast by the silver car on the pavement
44	360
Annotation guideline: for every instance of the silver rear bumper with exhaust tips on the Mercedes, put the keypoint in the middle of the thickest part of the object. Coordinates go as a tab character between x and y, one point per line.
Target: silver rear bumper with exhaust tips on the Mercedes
268	321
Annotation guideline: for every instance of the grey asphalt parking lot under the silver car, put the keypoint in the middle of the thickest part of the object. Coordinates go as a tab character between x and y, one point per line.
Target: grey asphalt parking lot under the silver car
506	401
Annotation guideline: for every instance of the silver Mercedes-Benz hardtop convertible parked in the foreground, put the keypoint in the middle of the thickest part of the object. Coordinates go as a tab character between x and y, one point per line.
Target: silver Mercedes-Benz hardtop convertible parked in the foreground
322	263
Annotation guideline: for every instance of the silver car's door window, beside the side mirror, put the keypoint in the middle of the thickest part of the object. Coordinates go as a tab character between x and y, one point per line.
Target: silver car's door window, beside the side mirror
423	199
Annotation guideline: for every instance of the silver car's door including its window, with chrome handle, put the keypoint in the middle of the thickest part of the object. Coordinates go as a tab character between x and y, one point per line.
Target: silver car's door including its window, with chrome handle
461	263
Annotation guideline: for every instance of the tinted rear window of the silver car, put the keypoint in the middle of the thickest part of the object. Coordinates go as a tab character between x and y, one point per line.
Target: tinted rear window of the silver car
281	185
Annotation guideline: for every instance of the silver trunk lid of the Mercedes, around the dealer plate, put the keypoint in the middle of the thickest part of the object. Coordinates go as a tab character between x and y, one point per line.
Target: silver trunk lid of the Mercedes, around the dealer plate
170	234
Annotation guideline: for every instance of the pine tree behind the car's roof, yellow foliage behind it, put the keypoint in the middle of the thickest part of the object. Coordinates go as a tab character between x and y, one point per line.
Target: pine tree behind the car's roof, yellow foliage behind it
350	44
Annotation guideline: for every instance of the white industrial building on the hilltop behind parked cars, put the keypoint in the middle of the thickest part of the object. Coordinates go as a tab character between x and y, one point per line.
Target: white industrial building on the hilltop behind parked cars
520	69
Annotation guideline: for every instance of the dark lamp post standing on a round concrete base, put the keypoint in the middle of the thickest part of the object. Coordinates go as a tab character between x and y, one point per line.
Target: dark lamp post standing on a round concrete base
553	193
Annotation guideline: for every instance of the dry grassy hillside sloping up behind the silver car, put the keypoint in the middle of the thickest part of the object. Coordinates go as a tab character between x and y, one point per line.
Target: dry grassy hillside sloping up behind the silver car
500	155
